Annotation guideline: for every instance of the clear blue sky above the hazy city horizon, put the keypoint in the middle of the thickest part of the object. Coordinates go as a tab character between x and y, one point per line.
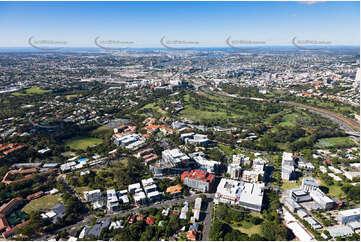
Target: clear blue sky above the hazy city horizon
203	24
